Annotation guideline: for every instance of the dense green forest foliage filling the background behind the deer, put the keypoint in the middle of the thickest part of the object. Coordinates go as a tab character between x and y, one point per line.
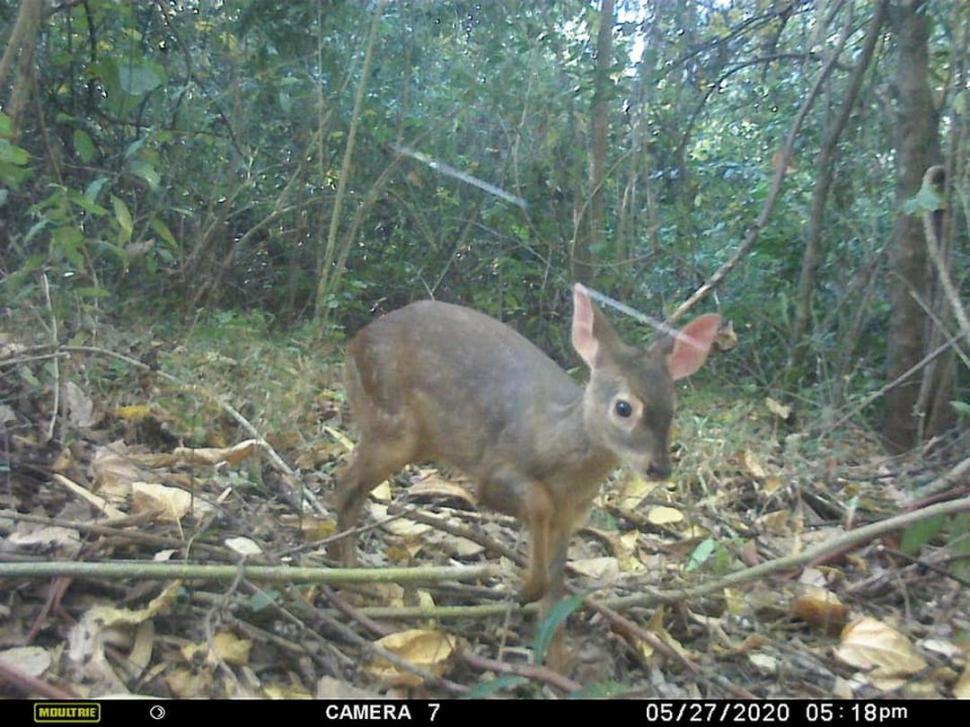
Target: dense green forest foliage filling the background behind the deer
189	158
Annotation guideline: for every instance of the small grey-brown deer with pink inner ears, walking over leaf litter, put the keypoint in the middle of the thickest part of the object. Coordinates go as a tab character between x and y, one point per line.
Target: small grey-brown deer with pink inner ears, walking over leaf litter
434	381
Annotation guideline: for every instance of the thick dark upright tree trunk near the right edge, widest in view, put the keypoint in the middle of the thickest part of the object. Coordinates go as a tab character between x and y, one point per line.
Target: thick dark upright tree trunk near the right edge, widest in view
917	146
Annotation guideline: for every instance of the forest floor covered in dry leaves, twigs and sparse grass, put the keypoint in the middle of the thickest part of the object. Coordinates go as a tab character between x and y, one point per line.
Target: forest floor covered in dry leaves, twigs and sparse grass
738	577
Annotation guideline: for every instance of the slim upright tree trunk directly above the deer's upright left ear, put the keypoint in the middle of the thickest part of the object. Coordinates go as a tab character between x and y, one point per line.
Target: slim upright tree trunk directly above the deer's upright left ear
591	228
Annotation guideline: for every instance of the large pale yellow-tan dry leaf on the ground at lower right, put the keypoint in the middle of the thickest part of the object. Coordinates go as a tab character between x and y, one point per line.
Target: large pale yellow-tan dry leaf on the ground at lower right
878	648
